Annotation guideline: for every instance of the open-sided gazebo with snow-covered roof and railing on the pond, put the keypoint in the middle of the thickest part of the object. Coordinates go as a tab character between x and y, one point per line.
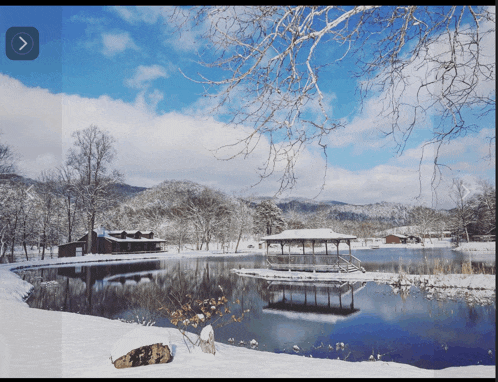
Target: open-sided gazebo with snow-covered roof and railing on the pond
311	261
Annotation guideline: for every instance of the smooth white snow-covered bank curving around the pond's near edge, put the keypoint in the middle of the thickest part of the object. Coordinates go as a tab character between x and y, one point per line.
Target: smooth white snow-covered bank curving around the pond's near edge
39	343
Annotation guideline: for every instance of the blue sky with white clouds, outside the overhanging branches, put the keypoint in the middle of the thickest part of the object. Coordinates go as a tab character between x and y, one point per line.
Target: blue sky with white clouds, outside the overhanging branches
119	68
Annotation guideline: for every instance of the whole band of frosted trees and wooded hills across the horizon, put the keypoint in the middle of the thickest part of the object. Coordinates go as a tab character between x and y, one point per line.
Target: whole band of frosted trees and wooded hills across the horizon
82	194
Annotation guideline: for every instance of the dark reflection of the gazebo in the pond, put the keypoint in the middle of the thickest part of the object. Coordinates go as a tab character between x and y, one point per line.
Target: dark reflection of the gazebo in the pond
312	298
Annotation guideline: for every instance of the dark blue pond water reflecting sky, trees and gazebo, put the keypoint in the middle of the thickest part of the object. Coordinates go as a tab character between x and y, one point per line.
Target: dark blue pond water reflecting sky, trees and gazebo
369	319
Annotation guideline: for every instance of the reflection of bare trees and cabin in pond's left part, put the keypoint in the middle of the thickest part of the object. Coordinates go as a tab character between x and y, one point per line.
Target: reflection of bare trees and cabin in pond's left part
111	291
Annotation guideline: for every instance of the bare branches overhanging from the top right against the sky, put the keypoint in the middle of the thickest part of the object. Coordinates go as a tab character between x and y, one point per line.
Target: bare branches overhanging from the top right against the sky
421	62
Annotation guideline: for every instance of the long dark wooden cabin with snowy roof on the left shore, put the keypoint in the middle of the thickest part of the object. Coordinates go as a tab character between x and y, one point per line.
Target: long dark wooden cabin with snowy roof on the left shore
114	242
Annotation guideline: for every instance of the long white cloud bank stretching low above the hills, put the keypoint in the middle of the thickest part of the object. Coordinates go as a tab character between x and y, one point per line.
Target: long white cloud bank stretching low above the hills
152	148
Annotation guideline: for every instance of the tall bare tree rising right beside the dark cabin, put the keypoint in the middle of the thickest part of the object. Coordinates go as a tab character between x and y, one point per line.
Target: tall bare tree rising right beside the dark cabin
93	152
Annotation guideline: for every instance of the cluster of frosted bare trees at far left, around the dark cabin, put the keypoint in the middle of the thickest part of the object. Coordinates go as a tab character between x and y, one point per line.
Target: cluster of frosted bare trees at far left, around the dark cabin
63	202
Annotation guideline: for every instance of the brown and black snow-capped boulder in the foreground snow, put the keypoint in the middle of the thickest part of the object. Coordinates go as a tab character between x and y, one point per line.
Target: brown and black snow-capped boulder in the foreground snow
144	355
